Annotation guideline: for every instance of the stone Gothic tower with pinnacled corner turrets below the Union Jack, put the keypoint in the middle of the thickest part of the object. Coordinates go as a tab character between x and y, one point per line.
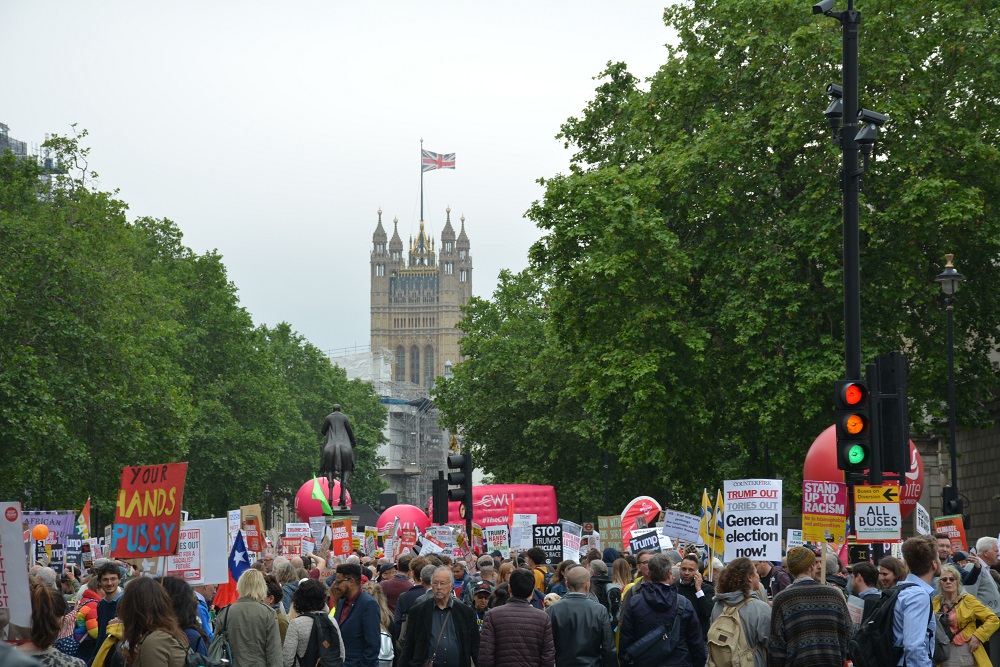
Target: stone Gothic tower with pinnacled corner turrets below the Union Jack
416	300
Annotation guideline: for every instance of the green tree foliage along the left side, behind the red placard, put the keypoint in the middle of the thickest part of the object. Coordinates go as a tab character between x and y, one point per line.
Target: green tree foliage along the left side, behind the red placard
120	346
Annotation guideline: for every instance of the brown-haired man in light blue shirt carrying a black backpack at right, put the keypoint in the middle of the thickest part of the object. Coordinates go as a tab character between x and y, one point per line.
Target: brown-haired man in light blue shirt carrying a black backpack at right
912	622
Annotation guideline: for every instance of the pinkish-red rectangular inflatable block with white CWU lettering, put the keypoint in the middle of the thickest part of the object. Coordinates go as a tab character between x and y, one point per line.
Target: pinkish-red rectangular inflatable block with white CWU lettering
494	503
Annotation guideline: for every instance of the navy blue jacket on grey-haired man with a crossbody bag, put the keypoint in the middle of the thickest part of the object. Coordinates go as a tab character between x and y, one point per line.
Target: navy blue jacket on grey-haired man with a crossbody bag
655	606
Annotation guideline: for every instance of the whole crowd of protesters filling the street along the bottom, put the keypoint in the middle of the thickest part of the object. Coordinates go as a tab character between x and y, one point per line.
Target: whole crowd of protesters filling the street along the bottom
606	610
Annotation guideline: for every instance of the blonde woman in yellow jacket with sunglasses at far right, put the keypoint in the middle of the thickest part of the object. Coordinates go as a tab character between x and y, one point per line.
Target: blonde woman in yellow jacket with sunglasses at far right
967	622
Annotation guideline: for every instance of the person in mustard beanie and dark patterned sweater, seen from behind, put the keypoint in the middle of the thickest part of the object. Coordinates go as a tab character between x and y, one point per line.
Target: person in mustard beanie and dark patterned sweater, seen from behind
810	622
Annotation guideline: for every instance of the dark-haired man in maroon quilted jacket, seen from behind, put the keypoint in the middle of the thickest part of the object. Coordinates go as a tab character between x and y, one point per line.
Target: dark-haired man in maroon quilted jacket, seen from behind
516	634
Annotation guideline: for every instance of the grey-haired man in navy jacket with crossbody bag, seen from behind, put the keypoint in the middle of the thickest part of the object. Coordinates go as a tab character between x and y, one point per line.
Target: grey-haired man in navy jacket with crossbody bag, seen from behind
652	608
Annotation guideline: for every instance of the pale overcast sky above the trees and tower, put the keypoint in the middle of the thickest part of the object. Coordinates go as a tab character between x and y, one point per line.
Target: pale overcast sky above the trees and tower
273	132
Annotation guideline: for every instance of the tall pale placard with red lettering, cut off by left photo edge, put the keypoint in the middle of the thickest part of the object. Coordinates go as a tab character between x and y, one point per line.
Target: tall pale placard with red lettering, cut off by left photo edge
14	595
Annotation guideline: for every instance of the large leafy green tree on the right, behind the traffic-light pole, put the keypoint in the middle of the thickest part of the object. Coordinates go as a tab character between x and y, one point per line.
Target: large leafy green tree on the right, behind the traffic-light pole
692	254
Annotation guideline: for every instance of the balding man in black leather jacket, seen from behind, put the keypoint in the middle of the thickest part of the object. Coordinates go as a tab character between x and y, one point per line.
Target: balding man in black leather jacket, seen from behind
581	631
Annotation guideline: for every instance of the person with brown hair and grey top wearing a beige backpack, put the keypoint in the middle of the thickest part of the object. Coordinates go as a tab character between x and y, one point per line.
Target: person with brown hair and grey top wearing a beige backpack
735	594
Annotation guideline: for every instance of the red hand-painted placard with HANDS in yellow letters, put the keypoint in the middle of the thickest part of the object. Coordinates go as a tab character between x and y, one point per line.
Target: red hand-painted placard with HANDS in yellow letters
148	512
